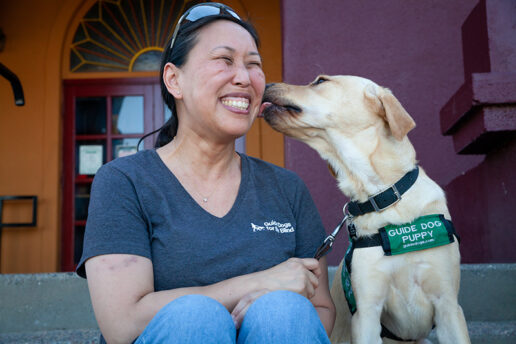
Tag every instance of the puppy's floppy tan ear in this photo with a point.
(391, 110)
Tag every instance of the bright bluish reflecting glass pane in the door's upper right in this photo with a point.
(127, 117)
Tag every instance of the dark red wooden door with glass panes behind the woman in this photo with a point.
(103, 120)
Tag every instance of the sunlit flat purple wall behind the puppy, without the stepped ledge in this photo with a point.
(412, 47)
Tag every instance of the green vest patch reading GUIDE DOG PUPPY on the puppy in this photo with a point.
(424, 232)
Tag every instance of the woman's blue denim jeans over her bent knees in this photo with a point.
(276, 317)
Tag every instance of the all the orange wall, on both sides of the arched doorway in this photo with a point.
(30, 136)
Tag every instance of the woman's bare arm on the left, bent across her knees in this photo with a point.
(124, 301)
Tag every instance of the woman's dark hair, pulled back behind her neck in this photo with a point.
(185, 41)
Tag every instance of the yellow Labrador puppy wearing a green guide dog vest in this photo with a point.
(361, 129)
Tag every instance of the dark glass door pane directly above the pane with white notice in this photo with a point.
(90, 115)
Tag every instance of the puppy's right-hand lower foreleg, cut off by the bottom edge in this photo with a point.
(450, 322)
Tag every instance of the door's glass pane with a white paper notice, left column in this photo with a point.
(89, 156)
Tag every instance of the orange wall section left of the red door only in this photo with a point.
(30, 135)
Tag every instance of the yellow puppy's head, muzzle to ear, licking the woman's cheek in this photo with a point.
(347, 103)
